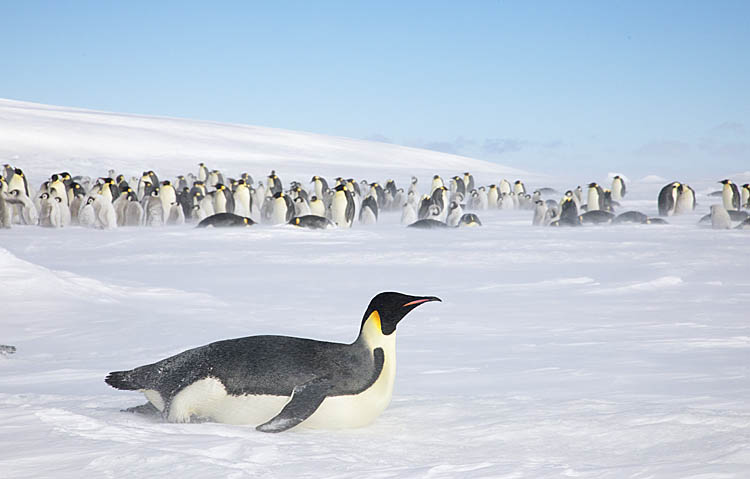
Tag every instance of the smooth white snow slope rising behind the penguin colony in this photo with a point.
(50, 138)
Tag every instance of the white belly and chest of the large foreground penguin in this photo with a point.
(208, 398)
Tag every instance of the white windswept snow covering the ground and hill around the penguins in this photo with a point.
(593, 352)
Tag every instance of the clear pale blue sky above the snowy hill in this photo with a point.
(614, 85)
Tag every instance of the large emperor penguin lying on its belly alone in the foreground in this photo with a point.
(280, 381)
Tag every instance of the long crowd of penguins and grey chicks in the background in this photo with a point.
(208, 198)
